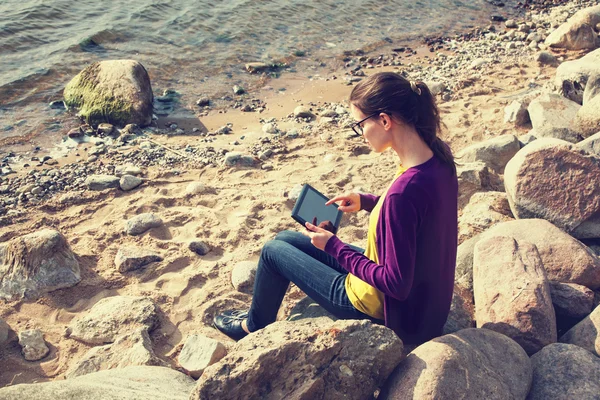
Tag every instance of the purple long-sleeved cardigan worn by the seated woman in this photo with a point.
(416, 247)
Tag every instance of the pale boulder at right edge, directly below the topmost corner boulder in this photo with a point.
(572, 76)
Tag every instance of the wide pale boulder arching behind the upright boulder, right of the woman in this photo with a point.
(565, 259)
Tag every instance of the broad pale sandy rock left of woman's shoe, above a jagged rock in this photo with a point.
(113, 317)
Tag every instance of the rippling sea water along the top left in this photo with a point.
(185, 43)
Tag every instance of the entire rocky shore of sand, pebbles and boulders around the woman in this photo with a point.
(117, 250)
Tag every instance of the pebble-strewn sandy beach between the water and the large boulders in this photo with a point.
(234, 210)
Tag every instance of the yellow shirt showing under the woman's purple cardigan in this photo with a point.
(363, 296)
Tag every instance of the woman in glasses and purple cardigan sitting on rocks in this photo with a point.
(405, 277)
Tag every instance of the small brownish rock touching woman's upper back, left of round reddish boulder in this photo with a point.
(475, 177)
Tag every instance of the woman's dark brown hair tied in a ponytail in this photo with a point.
(411, 102)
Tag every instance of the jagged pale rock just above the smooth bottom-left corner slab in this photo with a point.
(131, 349)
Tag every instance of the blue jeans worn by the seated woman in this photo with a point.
(290, 257)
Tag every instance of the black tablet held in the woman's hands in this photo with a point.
(311, 205)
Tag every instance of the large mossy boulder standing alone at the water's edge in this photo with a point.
(113, 91)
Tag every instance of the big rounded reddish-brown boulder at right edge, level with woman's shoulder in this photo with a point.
(542, 175)
